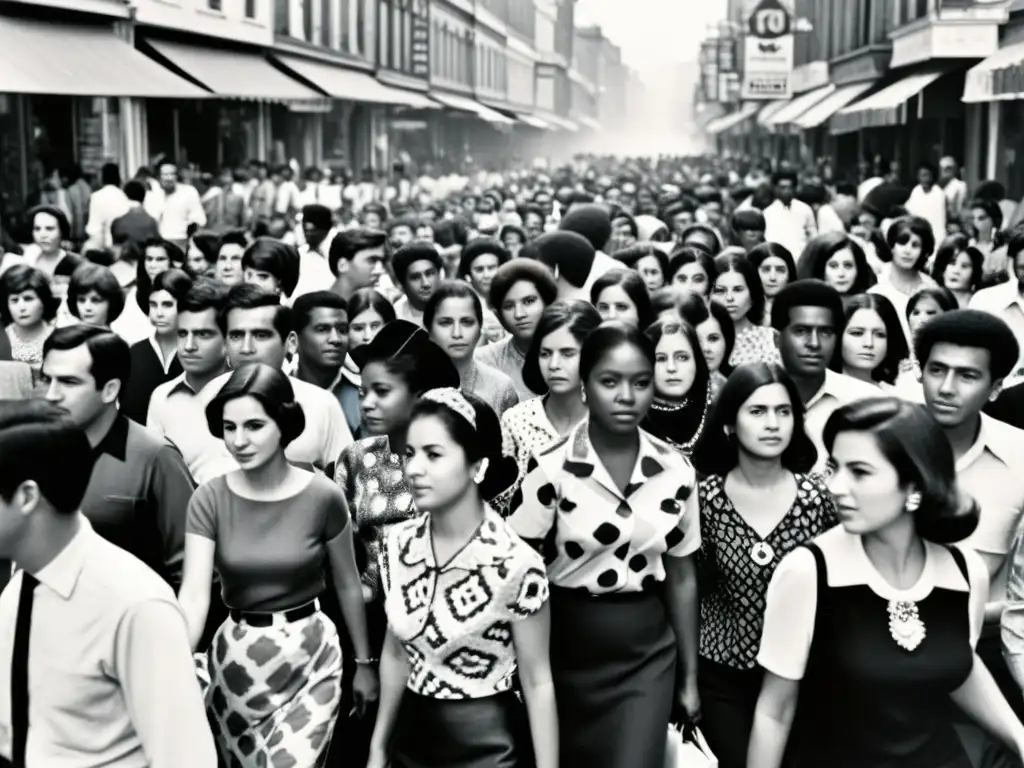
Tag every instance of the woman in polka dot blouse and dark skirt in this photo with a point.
(617, 513)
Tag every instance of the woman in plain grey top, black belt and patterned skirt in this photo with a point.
(277, 654)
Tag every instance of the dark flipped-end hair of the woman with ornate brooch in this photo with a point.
(912, 441)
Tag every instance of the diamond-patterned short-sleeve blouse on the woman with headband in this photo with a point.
(455, 620)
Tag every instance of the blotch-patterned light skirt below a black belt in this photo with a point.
(273, 694)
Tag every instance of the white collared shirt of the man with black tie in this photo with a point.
(112, 680)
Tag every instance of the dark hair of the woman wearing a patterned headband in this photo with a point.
(484, 442)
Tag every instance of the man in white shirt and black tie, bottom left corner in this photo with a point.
(95, 651)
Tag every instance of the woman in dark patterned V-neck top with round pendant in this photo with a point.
(758, 503)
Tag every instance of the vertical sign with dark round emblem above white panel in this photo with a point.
(769, 52)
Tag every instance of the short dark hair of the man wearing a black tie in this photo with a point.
(39, 444)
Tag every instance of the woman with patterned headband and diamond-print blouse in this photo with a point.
(440, 706)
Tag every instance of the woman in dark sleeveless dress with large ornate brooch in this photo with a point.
(874, 624)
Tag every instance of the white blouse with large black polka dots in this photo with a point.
(598, 537)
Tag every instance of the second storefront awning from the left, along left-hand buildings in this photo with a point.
(233, 74)
